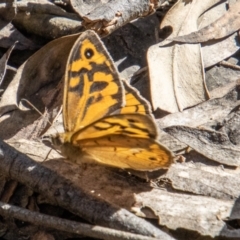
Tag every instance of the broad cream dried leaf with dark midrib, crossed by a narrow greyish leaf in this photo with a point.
(176, 71)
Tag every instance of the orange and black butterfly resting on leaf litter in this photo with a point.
(103, 116)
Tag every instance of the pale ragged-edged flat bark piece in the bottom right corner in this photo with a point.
(198, 213)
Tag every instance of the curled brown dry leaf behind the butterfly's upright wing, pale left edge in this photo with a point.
(40, 70)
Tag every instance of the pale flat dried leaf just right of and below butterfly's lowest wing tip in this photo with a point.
(204, 180)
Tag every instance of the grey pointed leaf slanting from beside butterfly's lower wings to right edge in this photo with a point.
(212, 144)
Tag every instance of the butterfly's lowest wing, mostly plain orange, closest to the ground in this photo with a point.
(128, 152)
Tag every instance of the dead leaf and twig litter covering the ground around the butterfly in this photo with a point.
(183, 58)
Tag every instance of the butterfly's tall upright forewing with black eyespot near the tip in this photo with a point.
(92, 86)
